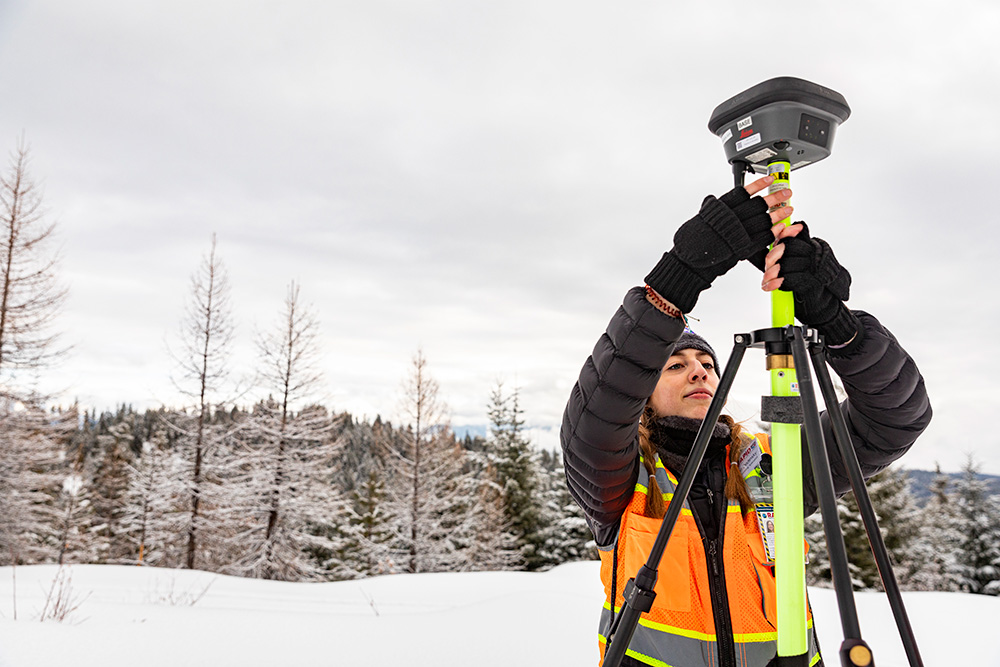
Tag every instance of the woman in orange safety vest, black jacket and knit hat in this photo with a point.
(632, 417)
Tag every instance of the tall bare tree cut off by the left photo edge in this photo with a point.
(30, 300)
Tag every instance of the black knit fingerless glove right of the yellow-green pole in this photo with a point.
(820, 286)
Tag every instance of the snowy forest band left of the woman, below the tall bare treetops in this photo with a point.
(301, 496)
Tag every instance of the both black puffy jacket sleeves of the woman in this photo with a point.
(886, 408)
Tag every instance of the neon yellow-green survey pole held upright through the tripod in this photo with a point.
(786, 451)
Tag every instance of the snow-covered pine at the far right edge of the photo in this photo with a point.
(979, 524)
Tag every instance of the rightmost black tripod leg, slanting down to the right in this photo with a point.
(850, 459)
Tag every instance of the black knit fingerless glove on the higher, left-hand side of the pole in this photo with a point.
(726, 230)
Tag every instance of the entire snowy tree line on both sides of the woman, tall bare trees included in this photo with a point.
(284, 488)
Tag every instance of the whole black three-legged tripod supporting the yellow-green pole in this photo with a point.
(802, 344)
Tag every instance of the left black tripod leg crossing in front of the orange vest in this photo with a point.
(639, 593)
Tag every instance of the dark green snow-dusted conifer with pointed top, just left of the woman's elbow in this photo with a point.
(516, 466)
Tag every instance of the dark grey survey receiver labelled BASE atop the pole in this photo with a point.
(784, 119)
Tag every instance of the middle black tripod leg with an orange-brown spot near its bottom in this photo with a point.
(853, 646)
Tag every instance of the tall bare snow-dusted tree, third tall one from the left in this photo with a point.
(292, 510)
